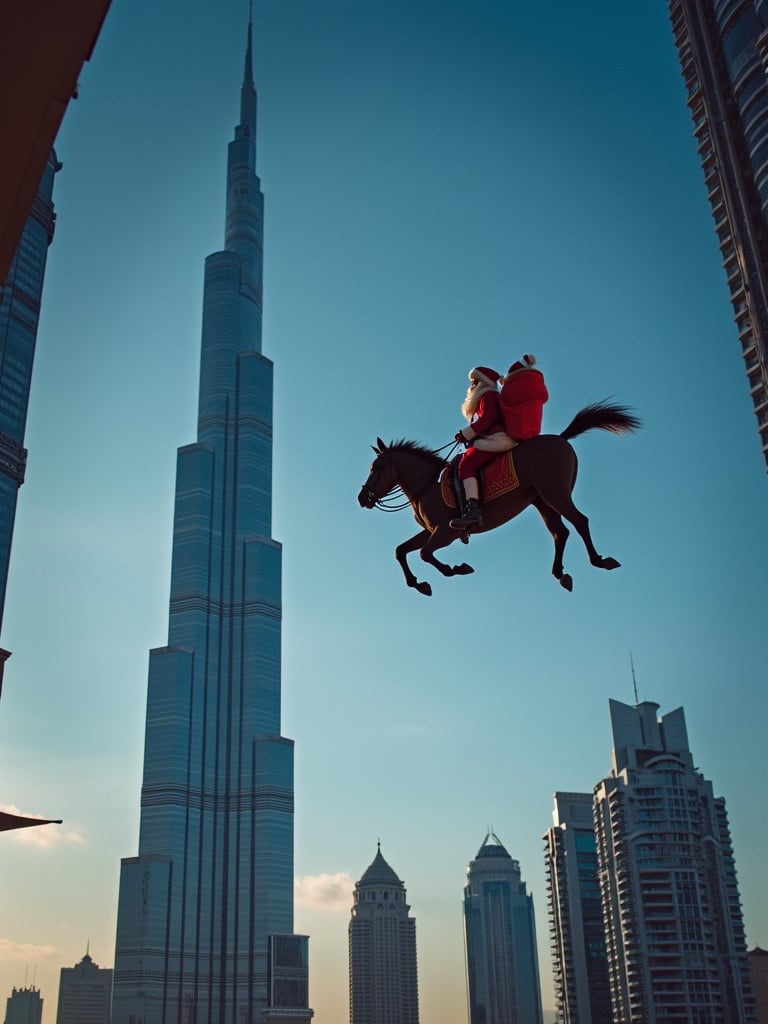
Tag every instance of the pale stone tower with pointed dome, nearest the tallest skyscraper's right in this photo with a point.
(383, 982)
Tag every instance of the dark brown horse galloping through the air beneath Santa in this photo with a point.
(546, 468)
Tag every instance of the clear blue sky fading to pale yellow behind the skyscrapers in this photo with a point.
(447, 185)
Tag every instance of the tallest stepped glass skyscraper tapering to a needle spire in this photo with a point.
(214, 879)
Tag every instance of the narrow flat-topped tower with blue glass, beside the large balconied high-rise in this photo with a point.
(579, 962)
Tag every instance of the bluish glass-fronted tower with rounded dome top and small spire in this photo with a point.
(500, 940)
